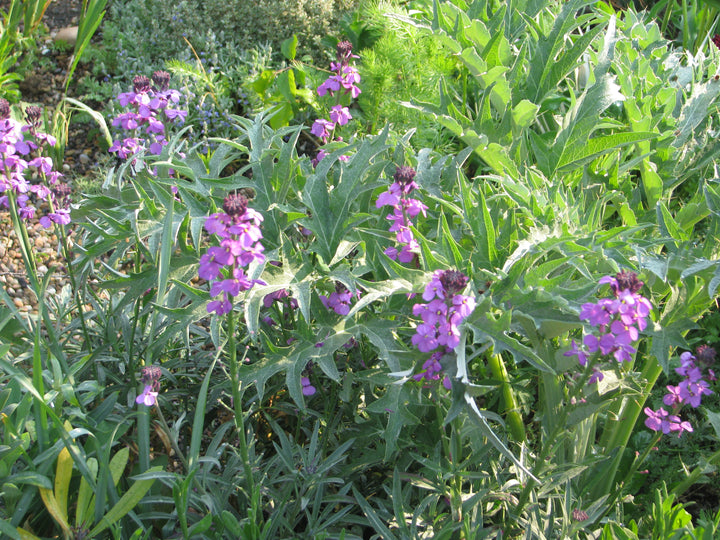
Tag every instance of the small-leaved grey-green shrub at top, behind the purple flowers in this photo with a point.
(234, 37)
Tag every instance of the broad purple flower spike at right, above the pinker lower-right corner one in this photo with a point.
(619, 321)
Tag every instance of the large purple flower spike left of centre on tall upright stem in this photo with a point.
(239, 229)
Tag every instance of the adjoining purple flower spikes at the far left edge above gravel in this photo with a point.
(21, 147)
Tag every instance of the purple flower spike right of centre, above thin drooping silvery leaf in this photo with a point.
(445, 309)
